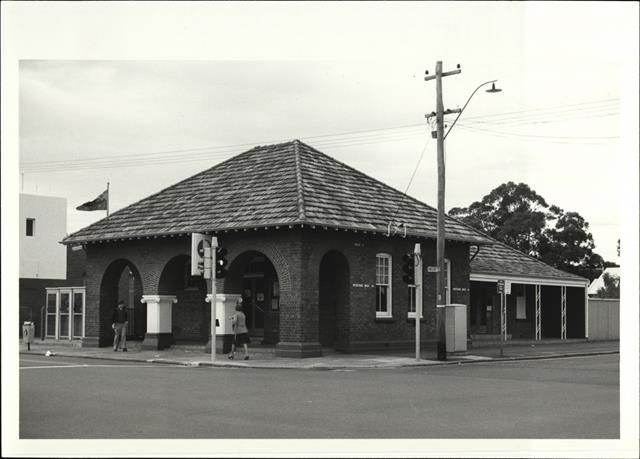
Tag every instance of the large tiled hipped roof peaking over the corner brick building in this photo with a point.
(268, 186)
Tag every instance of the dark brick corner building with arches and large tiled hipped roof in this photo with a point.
(314, 247)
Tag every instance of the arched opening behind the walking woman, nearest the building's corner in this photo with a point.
(252, 275)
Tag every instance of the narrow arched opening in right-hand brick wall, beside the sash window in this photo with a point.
(333, 300)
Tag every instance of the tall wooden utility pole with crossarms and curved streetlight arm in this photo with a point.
(440, 300)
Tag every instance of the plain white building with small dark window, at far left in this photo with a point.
(43, 224)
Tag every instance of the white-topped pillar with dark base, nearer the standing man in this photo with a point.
(159, 334)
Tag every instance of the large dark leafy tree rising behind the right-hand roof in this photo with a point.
(521, 218)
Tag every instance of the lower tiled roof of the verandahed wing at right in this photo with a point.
(497, 258)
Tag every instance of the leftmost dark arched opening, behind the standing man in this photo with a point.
(122, 281)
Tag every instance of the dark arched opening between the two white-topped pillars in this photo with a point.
(190, 316)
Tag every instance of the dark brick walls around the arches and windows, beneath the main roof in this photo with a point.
(296, 255)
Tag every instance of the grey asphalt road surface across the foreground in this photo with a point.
(71, 398)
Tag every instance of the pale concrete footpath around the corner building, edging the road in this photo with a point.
(264, 357)
